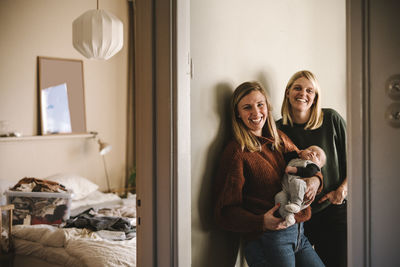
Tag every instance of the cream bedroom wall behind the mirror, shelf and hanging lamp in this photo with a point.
(44, 28)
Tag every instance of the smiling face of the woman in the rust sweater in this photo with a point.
(253, 111)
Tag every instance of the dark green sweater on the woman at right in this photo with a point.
(331, 137)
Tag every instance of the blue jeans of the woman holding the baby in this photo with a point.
(284, 248)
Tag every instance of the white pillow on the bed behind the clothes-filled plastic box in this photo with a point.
(80, 186)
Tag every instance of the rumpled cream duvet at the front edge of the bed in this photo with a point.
(72, 246)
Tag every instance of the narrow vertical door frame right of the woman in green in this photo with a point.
(358, 118)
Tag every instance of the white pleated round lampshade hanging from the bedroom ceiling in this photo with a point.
(97, 34)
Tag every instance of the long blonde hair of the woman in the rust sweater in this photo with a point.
(241, 133)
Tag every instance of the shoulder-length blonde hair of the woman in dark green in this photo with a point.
(316, 115)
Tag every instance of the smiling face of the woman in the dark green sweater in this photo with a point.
(301, 95)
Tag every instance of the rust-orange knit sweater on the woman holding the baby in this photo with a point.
(246, 184)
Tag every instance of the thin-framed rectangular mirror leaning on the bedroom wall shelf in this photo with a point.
(61, 96)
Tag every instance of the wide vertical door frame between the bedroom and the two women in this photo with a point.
(162, 115)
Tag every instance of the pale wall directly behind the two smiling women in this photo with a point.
(234, 41)
